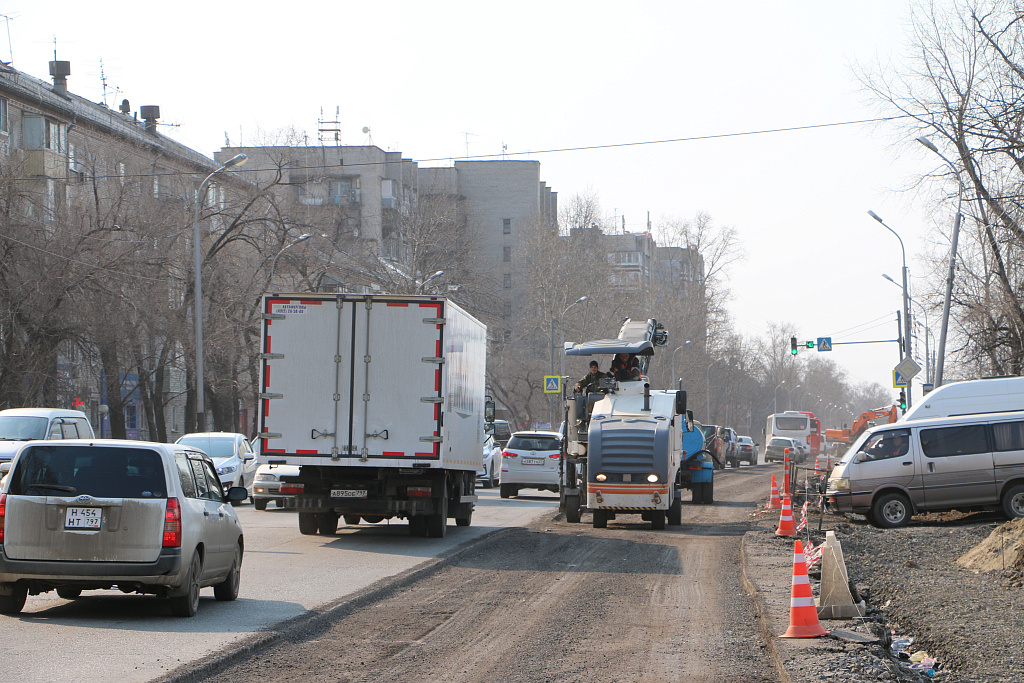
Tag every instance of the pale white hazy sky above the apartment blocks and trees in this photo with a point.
(434, 79)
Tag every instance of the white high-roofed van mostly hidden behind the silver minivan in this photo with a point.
(998, 395)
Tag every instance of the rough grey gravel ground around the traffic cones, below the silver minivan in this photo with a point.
(970, 622)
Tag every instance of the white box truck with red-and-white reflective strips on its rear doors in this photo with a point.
(380, 402)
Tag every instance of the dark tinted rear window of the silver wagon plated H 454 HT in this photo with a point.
(79, 471)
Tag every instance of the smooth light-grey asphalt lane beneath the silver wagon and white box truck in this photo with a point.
(110, 636)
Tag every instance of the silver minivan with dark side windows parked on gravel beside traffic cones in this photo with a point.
(892, 473)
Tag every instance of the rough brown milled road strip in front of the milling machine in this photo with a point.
(556, 603)
